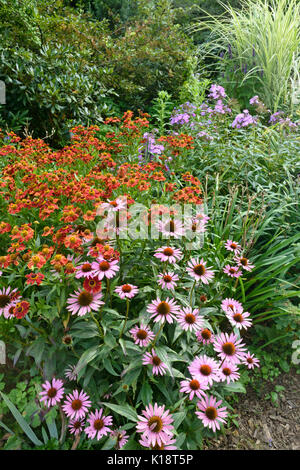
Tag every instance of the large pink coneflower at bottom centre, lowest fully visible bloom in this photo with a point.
(155, 425)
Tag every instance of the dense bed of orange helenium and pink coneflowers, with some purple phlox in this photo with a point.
(139, 338)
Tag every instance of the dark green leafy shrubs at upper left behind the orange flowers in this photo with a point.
(61, 67)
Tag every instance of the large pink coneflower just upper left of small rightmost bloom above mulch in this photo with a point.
(229, 348)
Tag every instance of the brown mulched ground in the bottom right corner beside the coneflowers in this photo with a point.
(262, 424)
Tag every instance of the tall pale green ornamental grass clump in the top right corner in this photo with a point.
(260, 43)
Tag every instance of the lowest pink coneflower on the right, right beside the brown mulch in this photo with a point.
(210, 413)
